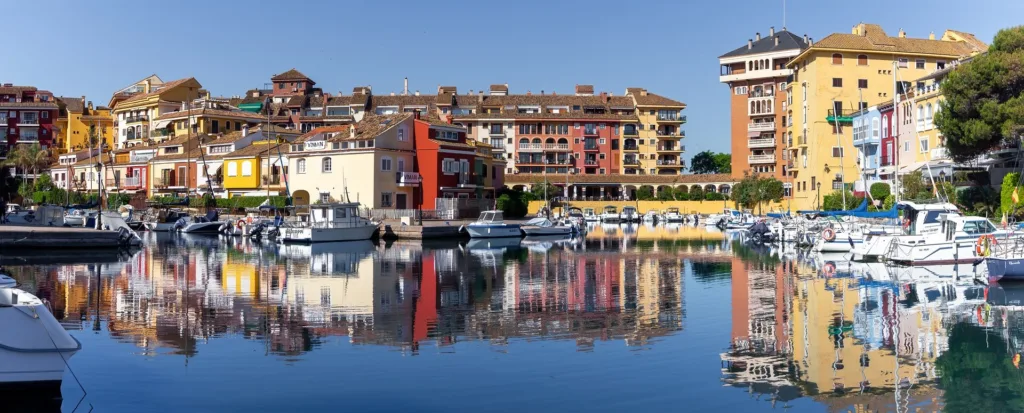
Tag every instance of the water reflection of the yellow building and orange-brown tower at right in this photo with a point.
(850, 344)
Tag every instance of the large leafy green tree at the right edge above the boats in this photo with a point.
(985, 99)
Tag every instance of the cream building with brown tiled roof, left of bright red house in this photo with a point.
(355, 163)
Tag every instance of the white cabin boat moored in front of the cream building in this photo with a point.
(329, 223)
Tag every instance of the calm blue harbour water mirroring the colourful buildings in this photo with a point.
(630, 318)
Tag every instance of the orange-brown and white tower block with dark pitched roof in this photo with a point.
(757, 75)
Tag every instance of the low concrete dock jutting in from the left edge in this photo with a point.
(57, 237)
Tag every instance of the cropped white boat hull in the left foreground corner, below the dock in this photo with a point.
(34, 347)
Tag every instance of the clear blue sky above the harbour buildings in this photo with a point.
(669, 48)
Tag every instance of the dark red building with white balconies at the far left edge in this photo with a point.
(27, 116)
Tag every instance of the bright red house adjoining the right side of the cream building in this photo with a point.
(446, 162)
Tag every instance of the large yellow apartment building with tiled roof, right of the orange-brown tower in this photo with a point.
(840, 75)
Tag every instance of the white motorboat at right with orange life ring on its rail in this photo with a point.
(963, 240)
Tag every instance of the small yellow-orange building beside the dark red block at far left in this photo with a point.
(78, 120)
